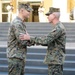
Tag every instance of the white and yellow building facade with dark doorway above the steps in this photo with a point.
(8, 9)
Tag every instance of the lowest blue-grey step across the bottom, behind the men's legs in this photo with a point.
(39, 70)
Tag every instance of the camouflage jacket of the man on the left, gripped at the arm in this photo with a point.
(16, 47)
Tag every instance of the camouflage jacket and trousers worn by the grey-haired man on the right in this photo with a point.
(55, 41)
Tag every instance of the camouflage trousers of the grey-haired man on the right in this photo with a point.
(55, 69)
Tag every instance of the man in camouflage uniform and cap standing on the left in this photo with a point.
(16, 48)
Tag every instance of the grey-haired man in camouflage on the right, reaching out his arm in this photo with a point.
(55, 41)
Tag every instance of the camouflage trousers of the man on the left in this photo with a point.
(16, 66)
